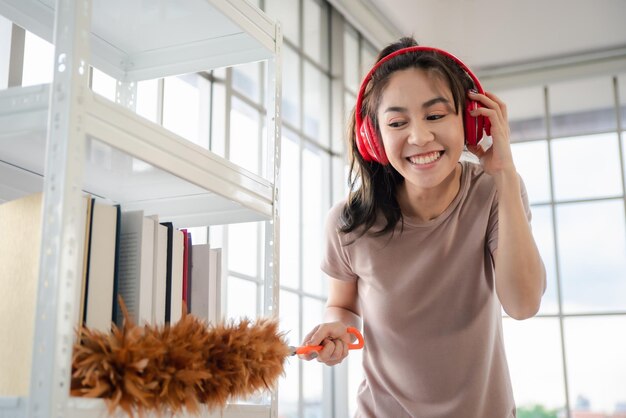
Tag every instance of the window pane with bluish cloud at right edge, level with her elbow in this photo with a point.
(592, 251)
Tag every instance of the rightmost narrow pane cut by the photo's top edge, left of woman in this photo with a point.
(316, 31)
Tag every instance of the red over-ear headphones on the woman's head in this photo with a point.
(370, 146)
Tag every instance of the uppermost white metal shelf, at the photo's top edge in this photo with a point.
(137, 40)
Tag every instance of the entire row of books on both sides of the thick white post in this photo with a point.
(154, 267)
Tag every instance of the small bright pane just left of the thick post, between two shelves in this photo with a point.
(38, 61)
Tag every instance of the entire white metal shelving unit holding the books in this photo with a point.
(62, 138)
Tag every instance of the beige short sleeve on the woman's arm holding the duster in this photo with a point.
(335, 256)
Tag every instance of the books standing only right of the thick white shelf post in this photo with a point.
(150, 264)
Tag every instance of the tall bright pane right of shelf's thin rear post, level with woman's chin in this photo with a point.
(290, 211)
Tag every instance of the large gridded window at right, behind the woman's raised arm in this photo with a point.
(567, 149)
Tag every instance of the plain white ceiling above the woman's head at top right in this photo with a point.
(487, 34)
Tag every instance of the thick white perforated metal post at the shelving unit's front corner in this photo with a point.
(60, 270)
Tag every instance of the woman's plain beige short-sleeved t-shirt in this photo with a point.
(431, 318)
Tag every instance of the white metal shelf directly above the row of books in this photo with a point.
(184, 183)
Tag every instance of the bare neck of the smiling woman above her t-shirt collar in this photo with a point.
(427, 204)
